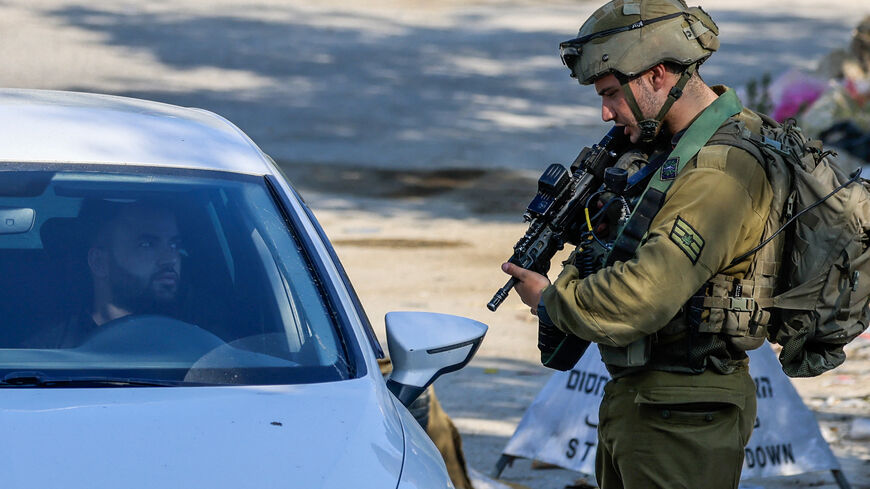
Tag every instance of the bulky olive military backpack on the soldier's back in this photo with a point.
(810, 275)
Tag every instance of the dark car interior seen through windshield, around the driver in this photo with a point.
(244, 280)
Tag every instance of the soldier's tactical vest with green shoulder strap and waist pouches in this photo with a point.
(720, 322)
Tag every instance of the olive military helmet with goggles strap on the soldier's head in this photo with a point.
(627, 37)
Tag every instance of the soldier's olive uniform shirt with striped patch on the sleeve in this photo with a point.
(715, 210)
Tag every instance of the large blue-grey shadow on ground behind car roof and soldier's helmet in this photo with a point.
(355, 89)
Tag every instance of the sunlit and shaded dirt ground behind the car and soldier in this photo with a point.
(468, 94)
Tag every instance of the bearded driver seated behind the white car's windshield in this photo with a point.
(134, 259)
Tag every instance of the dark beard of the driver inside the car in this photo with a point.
(137, 295)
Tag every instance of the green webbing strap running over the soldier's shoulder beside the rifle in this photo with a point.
(695, 137)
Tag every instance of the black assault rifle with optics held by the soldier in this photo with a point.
(556, 214)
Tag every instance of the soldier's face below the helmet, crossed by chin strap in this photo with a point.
(614, 106)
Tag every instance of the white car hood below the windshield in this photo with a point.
(330, 435)
